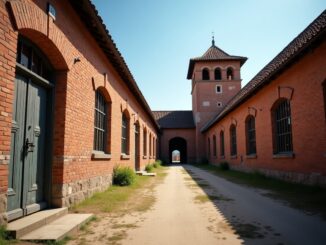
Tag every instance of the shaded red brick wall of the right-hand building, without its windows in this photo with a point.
(304, 85)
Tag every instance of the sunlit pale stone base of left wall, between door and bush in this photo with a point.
(68, 194)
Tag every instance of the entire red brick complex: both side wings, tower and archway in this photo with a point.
(70, 109)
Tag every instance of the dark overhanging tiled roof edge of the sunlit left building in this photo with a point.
(94, 23)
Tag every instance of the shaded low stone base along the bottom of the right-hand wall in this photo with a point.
(301, 178)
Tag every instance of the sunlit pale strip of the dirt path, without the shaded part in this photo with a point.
(182, 216)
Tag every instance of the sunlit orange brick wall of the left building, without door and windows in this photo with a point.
(76, 172)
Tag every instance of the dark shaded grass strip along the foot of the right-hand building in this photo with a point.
(311, 199)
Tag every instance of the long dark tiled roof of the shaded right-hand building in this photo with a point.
(314, 33)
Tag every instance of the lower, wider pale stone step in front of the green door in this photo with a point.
(58, 229)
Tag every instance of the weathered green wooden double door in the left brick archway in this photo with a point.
(27, 159)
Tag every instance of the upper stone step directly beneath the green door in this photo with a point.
(21, 227)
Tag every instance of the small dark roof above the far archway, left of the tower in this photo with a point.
(174, 119)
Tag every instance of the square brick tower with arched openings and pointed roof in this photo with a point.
(215, 80)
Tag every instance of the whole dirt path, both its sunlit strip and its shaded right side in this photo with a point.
(193, 206)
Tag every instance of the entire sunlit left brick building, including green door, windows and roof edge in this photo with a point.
(70, 110)
